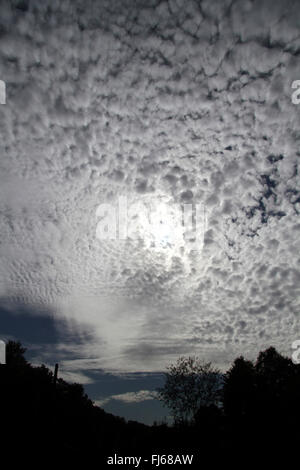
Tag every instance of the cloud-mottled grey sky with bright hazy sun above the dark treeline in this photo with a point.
(171, 106)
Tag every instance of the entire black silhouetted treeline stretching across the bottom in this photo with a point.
(256, 412)
